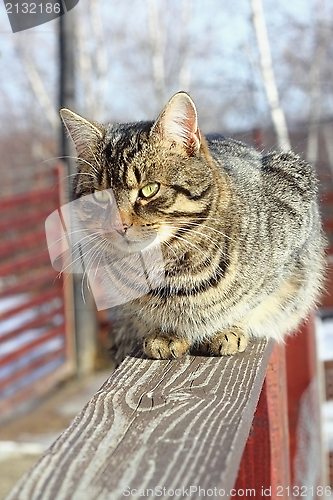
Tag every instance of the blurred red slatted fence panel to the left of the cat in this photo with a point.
(35, 342)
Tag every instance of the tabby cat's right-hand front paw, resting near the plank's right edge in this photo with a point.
(227, 342)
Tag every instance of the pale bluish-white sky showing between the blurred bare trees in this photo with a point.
(223, 58)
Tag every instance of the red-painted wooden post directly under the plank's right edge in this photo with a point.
(265, 463)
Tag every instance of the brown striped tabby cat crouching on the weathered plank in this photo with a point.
(240, 231)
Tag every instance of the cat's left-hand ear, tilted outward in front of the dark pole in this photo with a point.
(84, 133)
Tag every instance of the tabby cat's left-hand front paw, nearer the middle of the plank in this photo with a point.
(164, 347)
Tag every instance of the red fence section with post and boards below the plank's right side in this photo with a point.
(283, 457)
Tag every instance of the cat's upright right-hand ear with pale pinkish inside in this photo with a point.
(177, 125)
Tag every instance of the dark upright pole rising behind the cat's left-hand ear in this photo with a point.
(85, 319)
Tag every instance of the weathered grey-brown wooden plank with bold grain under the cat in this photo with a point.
(168, 424)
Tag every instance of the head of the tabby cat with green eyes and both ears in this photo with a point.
(147, 178)
